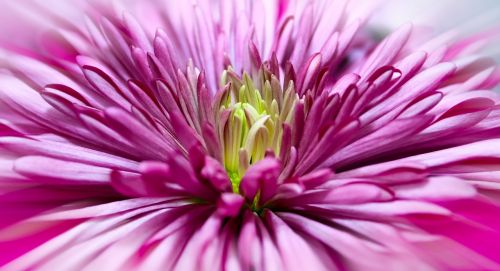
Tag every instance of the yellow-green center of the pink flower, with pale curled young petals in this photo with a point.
(251, 120)
